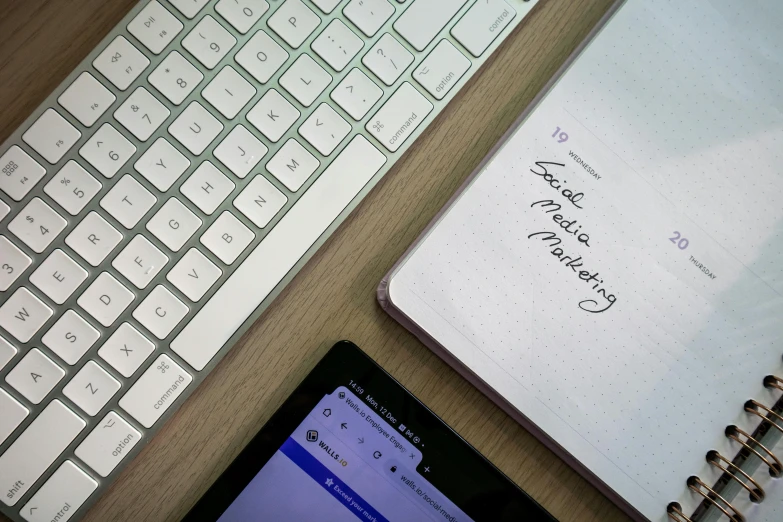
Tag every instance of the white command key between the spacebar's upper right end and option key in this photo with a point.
(399, 117)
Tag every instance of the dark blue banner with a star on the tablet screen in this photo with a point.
(321, 474)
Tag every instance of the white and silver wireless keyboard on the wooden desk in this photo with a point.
(177, 180)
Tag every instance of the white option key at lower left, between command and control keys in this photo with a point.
(107, 444)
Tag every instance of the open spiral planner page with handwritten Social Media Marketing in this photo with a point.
(612, 273)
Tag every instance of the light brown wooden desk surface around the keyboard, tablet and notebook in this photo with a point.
(333, 298)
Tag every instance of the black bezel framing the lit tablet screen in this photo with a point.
(462, 474)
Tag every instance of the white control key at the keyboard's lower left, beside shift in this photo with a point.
(60, 496)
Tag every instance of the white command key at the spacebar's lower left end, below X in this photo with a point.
(155, 391)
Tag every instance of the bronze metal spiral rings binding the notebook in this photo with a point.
(769, 418)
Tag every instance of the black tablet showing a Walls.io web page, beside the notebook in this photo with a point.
(351, 444)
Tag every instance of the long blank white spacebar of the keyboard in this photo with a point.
(280, 250)
